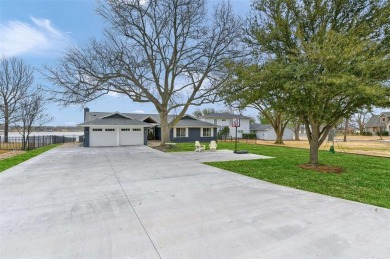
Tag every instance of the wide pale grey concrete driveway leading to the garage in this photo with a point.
(136, 202)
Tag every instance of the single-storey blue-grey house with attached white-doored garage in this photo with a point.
(123, 129)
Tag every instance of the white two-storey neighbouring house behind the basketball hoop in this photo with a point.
(226, 119)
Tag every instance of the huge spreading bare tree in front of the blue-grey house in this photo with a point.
(170, 53)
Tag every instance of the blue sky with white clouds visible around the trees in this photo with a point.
(39, 30)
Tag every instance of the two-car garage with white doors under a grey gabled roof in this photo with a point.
(114, 130)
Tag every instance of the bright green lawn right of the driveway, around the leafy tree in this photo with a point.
(366, 179)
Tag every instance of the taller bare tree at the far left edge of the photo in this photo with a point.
(15, 79)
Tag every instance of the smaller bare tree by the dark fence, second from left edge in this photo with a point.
(31, 114)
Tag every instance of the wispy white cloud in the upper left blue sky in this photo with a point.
(36, 38)
